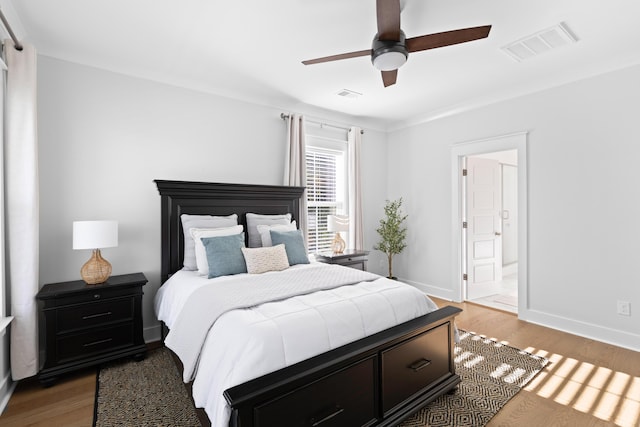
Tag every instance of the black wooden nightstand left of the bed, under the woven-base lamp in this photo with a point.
(83, 325)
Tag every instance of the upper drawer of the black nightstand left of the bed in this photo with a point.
(99, 313)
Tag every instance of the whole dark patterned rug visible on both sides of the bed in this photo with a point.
(151, 392)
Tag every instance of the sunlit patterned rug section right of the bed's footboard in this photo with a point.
(491, 373)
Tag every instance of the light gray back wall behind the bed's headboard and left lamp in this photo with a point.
(105, 137)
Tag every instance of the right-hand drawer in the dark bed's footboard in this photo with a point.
(412, 364)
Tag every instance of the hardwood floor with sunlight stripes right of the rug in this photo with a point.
(587, 383)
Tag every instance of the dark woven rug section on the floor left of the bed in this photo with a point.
(143, 394)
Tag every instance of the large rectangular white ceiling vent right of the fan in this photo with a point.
(540, 42)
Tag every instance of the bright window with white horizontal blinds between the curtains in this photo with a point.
(326, 188)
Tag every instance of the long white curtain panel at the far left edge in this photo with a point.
(21, 206)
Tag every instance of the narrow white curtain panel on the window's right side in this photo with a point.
(356, 229)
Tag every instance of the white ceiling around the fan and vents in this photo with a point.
(252, 49)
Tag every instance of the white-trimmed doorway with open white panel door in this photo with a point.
(490, 254)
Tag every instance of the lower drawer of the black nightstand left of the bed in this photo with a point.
(95, 341)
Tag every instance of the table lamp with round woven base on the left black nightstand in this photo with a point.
(95, 235)
